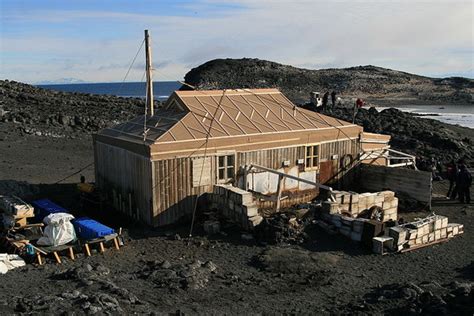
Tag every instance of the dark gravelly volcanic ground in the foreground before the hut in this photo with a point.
(167, 272)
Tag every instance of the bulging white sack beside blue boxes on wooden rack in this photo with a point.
(59, 230)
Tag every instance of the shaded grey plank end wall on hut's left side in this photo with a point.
(125, 178)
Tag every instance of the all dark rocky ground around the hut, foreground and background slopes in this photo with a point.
(165, 271)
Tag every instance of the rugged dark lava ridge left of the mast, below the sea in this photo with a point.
(52, 113)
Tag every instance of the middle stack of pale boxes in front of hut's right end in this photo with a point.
(350, 203)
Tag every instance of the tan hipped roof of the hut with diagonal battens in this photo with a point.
(193, 115)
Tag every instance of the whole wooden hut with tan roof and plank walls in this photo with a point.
(154, 167)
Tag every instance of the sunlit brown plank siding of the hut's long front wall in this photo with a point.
(175, 190)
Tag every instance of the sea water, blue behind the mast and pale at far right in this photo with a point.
(452, 114)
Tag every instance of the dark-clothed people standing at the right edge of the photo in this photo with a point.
(460, 181)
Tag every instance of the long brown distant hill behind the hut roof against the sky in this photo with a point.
(374, 84)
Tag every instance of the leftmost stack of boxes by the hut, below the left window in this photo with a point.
(237, 205)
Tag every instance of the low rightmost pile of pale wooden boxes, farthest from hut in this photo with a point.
(431, 229)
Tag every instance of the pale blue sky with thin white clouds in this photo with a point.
(96, 40)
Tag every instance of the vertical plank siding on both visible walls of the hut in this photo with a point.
(169, 185)
